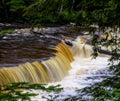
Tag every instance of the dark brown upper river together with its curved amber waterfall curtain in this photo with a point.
(34, 59)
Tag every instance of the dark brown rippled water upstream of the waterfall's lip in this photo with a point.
(18, 49)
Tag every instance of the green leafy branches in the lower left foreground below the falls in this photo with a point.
(17, 91)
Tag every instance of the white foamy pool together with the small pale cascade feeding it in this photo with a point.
(84, 71)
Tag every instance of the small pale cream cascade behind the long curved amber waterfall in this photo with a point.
(81, 49)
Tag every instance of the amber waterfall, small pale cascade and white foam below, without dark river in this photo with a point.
(72, 67)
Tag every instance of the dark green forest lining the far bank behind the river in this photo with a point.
(82, 12)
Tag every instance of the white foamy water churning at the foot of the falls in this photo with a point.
(84, 72)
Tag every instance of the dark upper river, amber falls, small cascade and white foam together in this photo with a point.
(70, 66)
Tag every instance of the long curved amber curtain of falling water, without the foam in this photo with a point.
(53, 69)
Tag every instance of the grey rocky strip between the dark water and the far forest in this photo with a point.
(53, 32)
